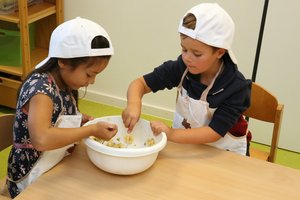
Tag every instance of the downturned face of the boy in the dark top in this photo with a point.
(199, 57)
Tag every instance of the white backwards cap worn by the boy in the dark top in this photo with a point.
(214, 27)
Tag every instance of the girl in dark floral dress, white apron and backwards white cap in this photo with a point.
(47, 121)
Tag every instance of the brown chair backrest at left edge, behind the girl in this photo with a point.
(6, 130)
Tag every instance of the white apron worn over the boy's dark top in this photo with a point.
(191, 113)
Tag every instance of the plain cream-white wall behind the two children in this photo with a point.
(144, 34)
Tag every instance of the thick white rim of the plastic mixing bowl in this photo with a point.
(125, 152)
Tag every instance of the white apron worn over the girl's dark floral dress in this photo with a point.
(49, 159)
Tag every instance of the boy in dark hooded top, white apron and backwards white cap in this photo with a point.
(212, 93)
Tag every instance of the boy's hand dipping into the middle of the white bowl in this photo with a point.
(131, 116)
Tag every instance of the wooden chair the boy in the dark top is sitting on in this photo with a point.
(265, 107)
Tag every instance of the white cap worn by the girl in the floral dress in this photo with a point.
(73, 39)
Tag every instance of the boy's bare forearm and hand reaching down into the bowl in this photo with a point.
(135, 93)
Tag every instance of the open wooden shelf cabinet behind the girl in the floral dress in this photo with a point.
(46, 16)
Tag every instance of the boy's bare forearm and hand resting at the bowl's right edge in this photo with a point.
(199, 135)
